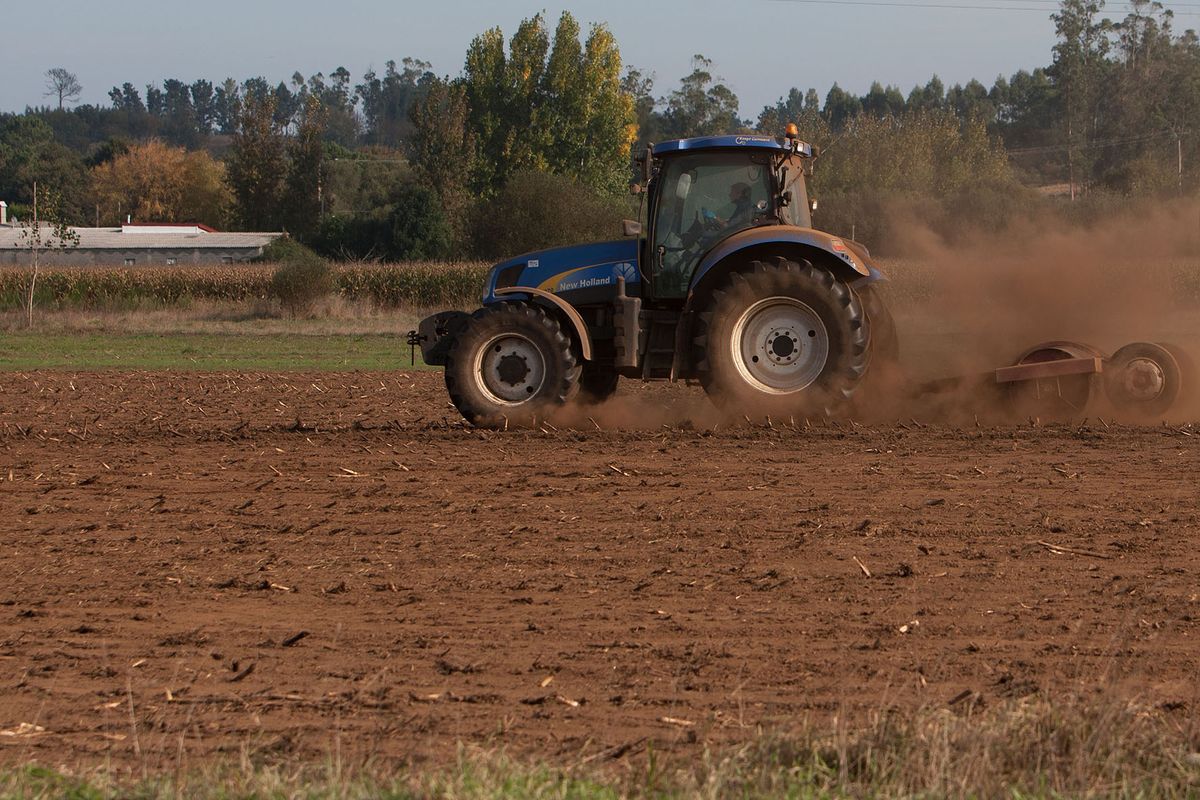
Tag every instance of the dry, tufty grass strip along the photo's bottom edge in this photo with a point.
(1103, 748)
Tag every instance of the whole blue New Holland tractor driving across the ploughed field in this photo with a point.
(723, 281)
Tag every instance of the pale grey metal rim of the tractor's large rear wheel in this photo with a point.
(781, 346)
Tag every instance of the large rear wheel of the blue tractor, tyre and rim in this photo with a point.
(783, 340)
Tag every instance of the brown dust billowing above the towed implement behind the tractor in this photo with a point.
(982, 303)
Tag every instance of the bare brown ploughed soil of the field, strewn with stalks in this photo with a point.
(308, 567)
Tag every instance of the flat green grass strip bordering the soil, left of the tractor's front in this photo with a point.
(203, 352)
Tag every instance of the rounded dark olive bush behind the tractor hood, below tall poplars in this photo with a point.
(539, 210)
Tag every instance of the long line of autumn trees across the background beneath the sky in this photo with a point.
(531, 143)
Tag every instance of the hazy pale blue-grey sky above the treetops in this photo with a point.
(760, 47)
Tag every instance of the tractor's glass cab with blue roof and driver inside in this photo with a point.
(706, 190)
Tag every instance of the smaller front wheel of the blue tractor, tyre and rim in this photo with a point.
(511, 365)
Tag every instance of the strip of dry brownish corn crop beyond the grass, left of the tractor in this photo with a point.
(415, 284)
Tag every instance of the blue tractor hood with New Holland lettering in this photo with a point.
(569, 270)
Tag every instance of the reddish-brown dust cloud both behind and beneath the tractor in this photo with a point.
(965, 309)
